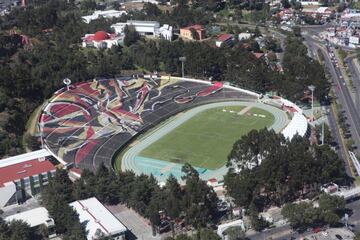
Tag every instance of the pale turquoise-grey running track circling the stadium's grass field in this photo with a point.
(132, 161)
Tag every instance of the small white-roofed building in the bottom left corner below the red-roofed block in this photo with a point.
(35, 218)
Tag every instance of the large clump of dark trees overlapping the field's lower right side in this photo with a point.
(288, 169)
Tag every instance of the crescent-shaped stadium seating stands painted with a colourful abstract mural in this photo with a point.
(87, 123)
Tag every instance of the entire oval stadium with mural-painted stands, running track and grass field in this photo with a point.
(153, 125)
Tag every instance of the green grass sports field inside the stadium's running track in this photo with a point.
(206, 139)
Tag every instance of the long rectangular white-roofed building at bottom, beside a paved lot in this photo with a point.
(98, 217)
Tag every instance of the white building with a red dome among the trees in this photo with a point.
(102, 39)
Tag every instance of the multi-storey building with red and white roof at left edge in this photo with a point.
(23, 175)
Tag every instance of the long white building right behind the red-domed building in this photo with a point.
(147, 28)
